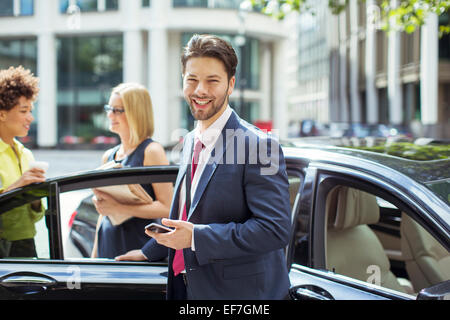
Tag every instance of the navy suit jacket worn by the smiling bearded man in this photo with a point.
(241, 217)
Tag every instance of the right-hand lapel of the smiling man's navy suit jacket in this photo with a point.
(219, 150)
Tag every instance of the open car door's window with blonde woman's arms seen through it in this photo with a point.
(84, 225)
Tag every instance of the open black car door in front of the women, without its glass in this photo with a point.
(101, 277)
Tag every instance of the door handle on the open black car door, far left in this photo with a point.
(25, 282)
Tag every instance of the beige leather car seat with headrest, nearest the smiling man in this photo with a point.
(353, 249)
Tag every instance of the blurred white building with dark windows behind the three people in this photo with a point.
(80, 49)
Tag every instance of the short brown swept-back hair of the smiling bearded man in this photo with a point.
(211, 46)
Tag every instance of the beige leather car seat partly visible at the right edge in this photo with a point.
(427, 261)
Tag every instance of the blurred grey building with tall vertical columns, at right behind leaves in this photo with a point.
(344, 69)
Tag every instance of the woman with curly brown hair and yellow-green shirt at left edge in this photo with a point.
(18, 90)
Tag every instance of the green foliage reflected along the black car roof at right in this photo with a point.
(411, 151)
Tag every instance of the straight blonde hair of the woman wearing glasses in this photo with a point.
(138, 110)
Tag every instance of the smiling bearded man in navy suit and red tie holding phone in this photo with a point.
(230, 211)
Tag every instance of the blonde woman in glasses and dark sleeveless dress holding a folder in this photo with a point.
(130, 113)
